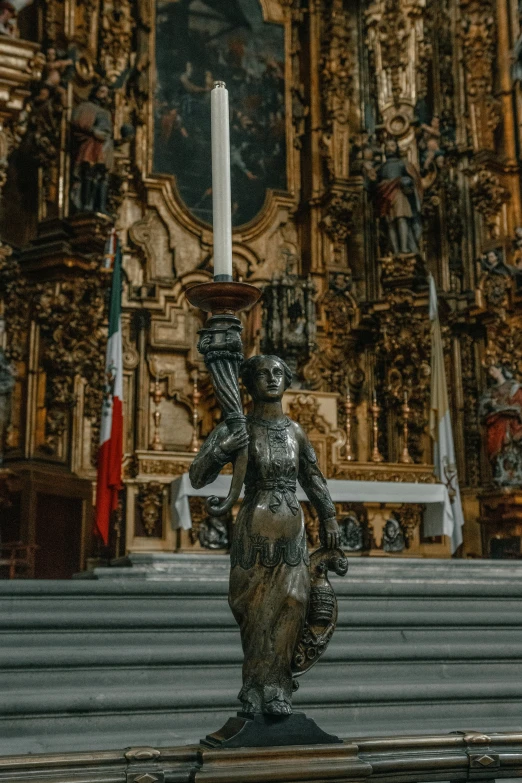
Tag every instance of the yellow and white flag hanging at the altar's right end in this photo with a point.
(440, 429)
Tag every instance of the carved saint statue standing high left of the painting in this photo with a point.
(92, 129)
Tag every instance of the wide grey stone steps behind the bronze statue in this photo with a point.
(150, 655)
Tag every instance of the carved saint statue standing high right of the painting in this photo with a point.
(398, 201)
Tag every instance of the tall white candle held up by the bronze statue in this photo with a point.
(221, 199)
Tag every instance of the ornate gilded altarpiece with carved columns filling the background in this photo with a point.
(372, 143)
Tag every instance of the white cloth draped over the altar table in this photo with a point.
(438, 517)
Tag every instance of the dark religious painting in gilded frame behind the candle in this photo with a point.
(199, 42)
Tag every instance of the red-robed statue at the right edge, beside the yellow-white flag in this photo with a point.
(501, 411)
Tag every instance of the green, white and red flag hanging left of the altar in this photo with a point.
(110, 454)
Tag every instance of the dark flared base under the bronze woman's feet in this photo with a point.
(265, 731)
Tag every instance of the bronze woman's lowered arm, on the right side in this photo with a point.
(314, 484)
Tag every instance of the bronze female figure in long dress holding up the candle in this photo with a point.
(270, 578)
